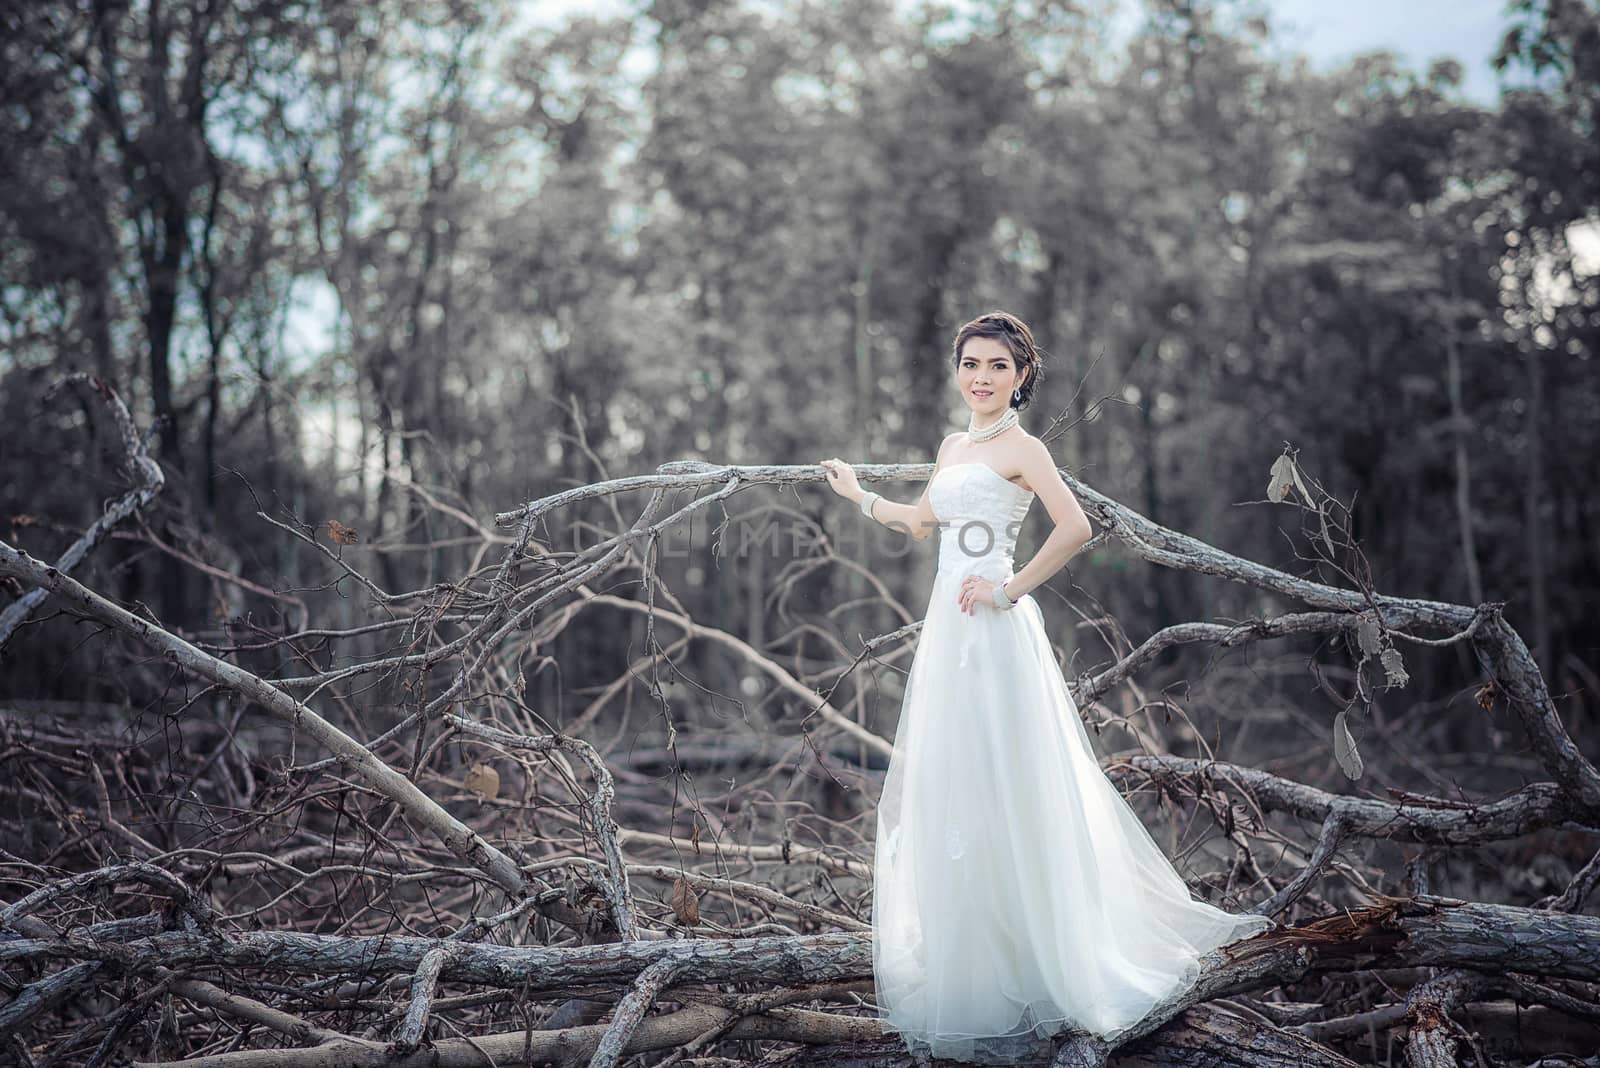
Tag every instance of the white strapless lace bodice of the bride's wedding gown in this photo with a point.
(980, 516)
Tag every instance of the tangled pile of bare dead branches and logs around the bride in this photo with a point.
(257, 869)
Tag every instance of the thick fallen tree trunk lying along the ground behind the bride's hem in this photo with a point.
(1398, 933)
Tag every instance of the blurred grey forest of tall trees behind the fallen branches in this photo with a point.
(359, 257)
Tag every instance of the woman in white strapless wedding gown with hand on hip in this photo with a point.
(1017, 895)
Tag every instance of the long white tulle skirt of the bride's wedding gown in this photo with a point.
(1017, 895)
